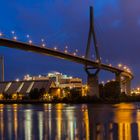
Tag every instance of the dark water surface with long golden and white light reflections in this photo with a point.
(70, 122)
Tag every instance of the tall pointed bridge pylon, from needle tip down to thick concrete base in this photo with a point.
(92, 78)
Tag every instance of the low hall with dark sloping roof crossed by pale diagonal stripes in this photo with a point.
(23, 88)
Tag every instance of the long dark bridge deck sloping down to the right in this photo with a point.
(59, 54)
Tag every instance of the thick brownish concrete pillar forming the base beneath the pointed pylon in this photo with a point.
(93, 85)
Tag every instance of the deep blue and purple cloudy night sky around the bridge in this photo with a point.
(66, 22)
